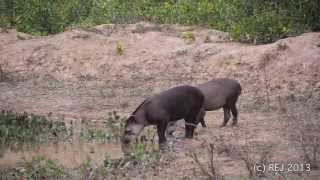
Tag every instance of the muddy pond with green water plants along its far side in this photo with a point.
(69, 142)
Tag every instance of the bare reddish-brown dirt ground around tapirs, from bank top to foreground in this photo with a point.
(86, 73)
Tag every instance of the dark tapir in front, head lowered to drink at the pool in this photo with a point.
(182, 102)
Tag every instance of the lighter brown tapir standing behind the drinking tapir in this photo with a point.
(219, 93)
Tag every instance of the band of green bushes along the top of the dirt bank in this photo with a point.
(246, 20)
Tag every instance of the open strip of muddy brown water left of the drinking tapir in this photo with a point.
(68, 154)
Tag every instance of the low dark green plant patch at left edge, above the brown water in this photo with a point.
(24, 127)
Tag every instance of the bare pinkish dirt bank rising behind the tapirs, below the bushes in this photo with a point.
(85, 62)
